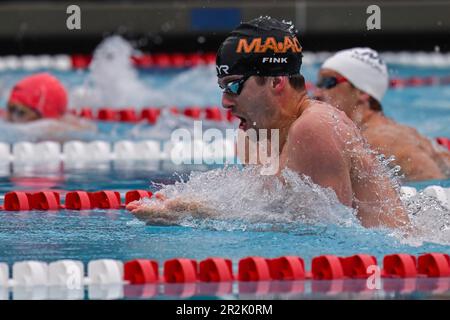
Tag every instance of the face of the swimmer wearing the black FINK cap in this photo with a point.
(252, 105)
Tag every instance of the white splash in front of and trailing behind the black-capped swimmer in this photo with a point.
(233, 199)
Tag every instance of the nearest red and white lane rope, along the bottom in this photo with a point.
(250, 269)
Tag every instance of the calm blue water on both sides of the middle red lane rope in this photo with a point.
(88, 235)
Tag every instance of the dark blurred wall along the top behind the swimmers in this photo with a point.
(32, 27)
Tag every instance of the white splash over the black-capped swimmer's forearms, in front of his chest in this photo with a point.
(244, 199)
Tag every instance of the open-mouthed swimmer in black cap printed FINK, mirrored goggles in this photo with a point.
(258, 69)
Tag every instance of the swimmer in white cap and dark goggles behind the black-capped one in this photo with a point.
(355, 81)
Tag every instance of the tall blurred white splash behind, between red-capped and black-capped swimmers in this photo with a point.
(113, 81)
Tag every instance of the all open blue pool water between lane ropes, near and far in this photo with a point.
(116, 234)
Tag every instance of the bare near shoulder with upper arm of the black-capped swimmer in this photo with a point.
(315, 149)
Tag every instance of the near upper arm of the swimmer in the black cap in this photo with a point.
(312, 150)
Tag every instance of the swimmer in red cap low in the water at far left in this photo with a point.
(39, 103)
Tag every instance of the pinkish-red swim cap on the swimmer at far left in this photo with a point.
(42, 92)
